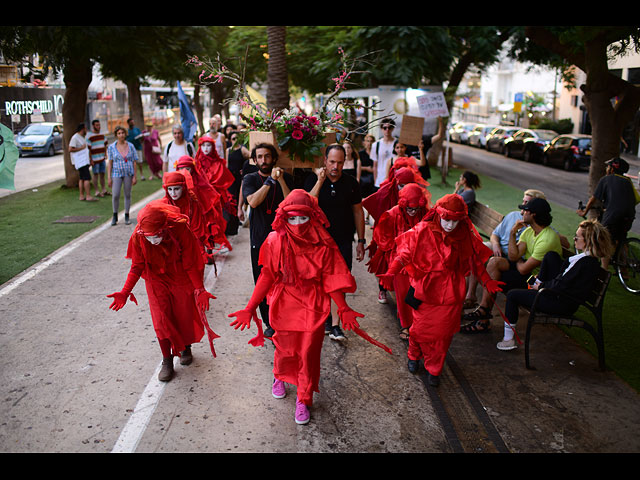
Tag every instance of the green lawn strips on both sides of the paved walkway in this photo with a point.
(29, 235)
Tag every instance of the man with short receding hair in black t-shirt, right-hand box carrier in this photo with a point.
(340, 199)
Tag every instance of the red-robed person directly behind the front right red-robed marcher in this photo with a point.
(413, 204)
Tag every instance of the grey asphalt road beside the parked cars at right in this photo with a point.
(561, 187)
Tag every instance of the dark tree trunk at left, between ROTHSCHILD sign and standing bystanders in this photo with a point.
(77, 77)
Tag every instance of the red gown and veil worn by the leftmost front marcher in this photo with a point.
(173, 271)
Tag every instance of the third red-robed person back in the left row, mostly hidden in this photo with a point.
(210, 200)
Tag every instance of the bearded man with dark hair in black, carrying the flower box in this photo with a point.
(263, 191)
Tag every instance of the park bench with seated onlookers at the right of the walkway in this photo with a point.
(486, 220)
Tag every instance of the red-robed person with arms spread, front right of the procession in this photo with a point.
(437, 254)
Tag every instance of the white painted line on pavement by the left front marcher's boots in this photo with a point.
(150, 398)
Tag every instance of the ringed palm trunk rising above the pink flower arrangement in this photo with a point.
(277, 77)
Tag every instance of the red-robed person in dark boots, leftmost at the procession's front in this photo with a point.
(164, 251)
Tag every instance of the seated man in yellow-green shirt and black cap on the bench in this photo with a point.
(524, 257)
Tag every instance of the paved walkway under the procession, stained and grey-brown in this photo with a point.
(77, 377)
